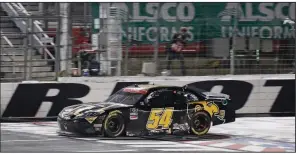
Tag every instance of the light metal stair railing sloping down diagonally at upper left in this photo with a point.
(17, 10)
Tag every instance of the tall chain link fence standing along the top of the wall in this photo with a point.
(215, 46)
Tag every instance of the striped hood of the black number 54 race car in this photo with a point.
(97, 107)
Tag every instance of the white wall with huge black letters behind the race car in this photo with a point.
(249, 93)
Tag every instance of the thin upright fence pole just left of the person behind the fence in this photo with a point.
(156, 48)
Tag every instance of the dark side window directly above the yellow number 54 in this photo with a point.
(159, 99)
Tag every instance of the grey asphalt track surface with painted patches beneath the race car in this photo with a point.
(274, 134)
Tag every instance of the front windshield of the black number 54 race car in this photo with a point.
(123, 97)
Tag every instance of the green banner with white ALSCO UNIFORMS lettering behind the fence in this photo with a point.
(206, 20)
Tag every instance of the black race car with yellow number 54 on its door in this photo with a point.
(140, 110)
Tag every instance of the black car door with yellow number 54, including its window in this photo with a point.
(155, 112)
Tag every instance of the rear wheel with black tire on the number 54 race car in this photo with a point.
(200, 123)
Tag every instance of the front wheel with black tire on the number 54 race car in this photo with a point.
(114, 125)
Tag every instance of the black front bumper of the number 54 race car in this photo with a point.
(76, 127)
